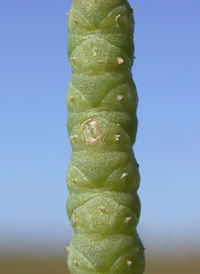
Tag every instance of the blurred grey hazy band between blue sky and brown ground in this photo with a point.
(40, 243)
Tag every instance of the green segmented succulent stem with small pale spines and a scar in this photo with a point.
(103, 176)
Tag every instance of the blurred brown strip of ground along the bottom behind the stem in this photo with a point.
(185, 264)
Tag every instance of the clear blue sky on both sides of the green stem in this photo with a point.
(34, 144)
